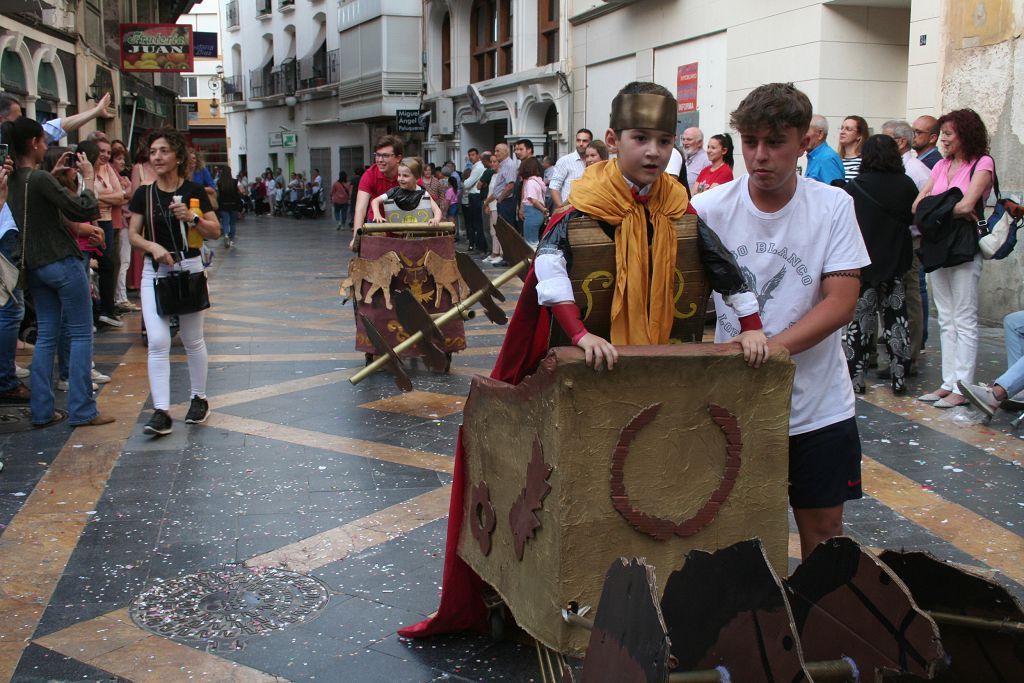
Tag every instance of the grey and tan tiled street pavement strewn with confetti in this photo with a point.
(297, 468)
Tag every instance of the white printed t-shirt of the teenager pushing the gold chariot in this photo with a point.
(783, 257)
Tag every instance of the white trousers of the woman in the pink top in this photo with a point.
(955, 292)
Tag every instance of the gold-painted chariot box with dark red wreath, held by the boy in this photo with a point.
(679, 448)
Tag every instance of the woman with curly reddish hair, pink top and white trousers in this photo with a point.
(955, 289)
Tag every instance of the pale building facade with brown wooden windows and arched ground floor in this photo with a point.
(497, 71)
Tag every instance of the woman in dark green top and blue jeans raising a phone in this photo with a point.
(56, 273)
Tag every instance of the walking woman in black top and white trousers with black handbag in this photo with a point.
(174, 278)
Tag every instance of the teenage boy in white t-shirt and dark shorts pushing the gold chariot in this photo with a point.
(799, 247)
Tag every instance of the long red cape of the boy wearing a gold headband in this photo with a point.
(526, 345)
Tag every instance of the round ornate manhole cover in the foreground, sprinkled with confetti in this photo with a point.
(222, 608)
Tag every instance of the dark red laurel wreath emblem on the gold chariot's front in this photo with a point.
(658, 528)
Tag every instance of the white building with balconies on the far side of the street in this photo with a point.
(310, 86)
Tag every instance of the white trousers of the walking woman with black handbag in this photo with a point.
(158, 330)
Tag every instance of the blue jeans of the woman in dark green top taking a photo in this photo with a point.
(59, 287)
